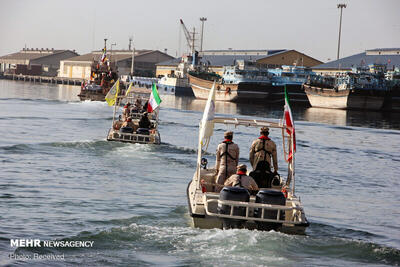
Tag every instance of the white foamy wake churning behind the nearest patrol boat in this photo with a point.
(170, 235)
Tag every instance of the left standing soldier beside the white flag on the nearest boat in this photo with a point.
(227, 159)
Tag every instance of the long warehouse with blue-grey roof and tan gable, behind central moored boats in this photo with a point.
(216, 59)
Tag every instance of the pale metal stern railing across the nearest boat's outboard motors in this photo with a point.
(295, 219)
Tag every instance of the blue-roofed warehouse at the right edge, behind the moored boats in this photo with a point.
(387, 56)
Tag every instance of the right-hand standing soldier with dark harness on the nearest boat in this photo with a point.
(262, 150)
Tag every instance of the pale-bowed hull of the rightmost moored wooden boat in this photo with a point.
(366, 99)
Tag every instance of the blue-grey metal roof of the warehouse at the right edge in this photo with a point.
(361, 59)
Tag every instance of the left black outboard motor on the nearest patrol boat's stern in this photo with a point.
(235, 194)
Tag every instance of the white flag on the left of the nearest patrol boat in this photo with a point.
(207, 123)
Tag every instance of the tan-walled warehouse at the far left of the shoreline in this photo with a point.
(35, 61)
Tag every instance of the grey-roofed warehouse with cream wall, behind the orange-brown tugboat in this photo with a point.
(144, 63)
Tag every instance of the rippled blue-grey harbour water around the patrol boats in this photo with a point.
(60, 180)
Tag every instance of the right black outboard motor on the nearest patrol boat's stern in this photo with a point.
(272, 197)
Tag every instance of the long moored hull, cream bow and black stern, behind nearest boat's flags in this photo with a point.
(247, 92)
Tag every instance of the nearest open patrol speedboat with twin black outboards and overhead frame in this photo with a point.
(276, 208)
